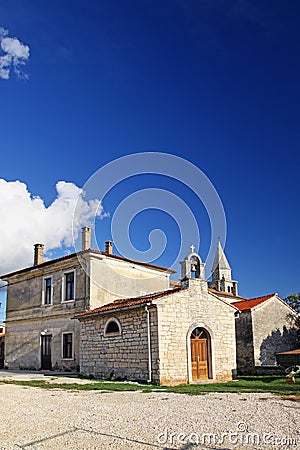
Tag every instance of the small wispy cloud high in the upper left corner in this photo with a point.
(15, 55)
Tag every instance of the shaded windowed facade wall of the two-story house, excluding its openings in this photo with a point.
(27, 318)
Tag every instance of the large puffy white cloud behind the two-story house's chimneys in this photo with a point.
(25, 220)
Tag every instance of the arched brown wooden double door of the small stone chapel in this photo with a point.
(200, 354)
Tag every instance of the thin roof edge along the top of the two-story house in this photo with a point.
(73, 255)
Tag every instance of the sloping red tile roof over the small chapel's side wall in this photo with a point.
(128, 302)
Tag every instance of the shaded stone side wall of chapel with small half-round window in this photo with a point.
(119, 356)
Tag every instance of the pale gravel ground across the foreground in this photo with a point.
(33, 418)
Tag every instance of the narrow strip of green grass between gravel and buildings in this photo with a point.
(262, 384)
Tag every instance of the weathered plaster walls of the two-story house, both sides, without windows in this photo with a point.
(27, 316)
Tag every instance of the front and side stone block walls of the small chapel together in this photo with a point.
(173, 317)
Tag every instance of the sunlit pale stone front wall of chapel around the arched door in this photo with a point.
(178, 315)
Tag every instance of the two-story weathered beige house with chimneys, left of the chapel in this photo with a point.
(42, 300)
